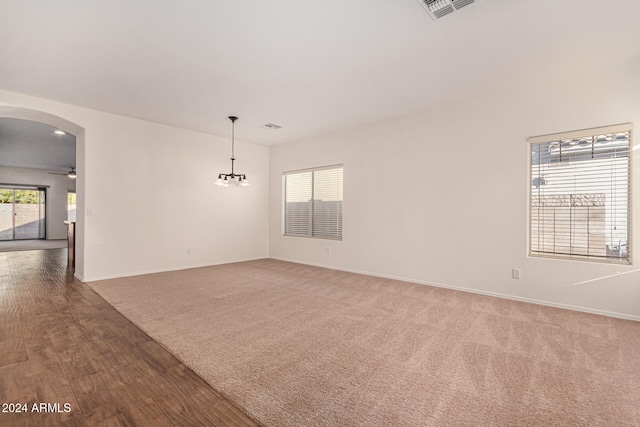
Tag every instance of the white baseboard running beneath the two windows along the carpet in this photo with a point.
(475, 291)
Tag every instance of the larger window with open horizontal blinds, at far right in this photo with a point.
(580, 194)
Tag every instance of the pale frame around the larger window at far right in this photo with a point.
(583, 133)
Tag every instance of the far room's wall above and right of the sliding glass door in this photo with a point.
(58, 187)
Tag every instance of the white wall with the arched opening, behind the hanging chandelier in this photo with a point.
(146, 167)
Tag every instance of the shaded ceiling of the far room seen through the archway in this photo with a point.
(34, 145)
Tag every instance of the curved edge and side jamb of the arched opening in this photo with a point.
(79, 132)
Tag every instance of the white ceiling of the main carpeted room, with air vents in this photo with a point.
(312, 67)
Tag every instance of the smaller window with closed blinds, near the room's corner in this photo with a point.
(313, 203)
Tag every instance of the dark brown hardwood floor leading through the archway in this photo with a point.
(61, 343)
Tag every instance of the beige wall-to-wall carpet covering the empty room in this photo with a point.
(295, 345)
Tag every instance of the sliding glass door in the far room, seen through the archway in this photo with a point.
(22, 213)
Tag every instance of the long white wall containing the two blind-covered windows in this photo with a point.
(421, 203)
